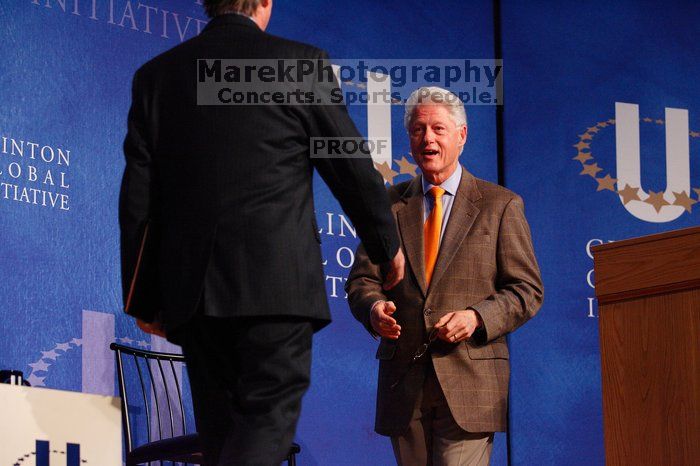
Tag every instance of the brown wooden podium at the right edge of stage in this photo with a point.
(648, 292)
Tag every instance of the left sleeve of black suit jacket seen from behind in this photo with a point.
(135, 194)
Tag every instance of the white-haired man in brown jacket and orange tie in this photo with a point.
(471, 278)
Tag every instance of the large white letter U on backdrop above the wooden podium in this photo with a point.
(628, 161)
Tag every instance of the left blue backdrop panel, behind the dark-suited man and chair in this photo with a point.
(65, 90)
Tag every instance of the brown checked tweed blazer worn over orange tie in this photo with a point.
(486, 261)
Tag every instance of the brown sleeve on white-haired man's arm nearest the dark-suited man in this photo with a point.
(364, 288)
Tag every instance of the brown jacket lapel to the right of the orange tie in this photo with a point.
(462, 217)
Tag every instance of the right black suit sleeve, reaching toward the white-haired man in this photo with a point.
(353, 180)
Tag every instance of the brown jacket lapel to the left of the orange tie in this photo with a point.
(410, 218)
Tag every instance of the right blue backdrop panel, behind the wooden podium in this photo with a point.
(601, 139)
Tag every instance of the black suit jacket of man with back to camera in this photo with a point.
(228, 189)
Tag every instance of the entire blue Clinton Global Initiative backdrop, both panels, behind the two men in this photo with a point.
(571, 73)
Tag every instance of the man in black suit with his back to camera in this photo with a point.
(226, 192)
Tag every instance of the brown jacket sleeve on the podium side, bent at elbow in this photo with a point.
(519, 290)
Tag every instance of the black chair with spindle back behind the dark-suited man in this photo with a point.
(163, 388)
